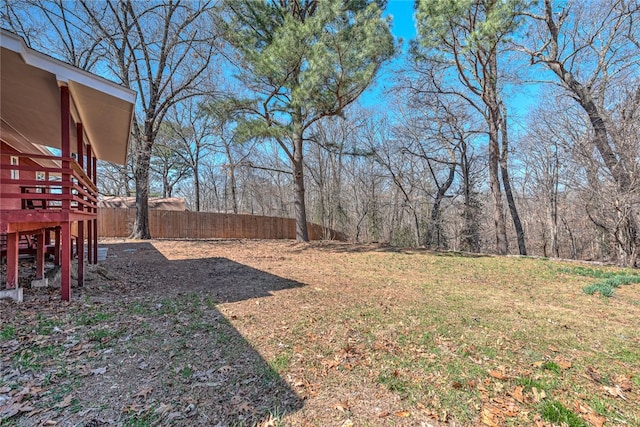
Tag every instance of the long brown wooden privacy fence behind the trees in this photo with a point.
(114, 222)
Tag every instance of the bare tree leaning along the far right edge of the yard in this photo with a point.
(589, 48)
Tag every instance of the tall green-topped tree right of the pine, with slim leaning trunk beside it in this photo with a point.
(457, 53)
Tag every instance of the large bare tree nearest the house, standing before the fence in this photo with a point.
(162, 50)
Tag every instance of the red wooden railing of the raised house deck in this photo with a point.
(64, 184)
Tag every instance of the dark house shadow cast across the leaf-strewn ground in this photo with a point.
(149, 346)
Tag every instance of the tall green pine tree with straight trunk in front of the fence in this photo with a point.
(302, 61)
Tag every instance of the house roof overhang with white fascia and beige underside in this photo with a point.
(30, 102)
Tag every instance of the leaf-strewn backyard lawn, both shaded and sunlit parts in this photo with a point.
(324, 334)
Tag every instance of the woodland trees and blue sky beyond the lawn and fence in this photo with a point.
(503, 127)
